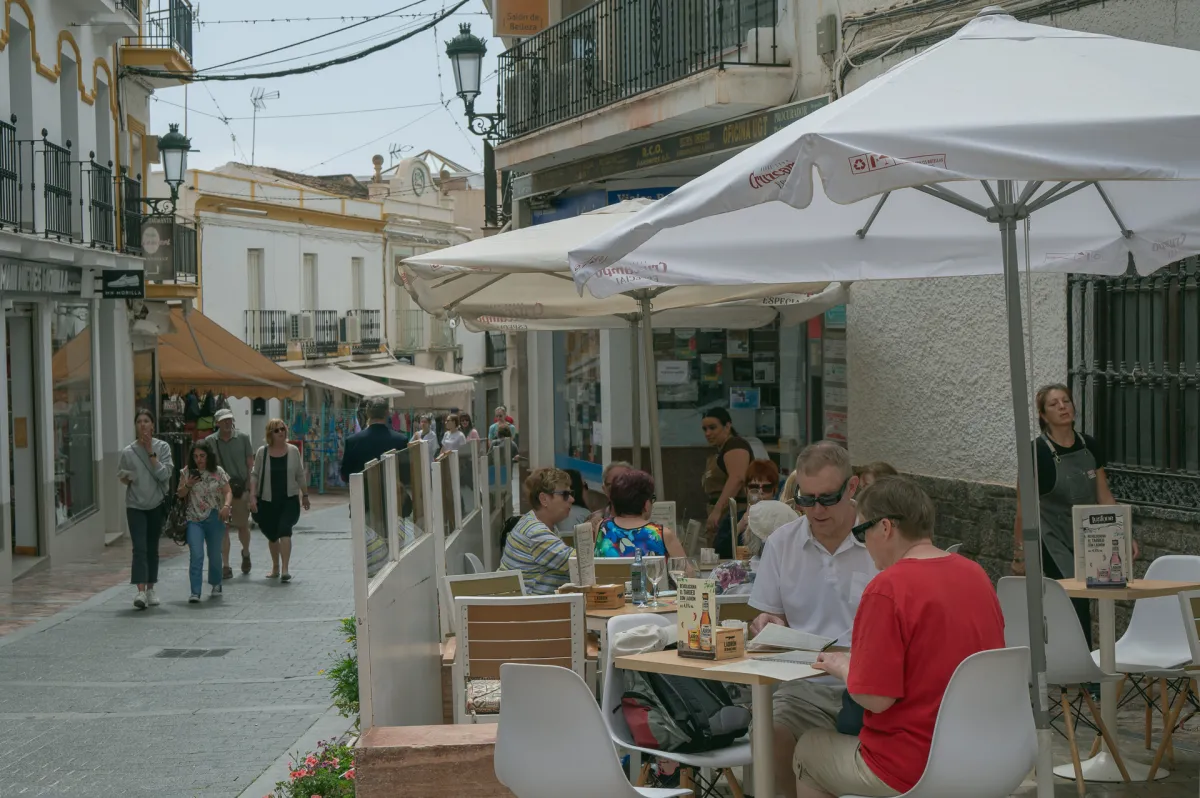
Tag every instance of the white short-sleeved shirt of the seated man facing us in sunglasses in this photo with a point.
(818, 592)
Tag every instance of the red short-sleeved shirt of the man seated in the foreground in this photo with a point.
(917, 622)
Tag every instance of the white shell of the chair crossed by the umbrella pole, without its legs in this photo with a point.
(1069, 657)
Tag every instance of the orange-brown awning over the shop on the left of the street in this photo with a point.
(215, 361)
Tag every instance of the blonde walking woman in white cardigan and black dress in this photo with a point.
(278, 489)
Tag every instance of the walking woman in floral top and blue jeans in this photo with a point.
(206, 488)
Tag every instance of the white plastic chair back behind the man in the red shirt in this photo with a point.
(985, 741)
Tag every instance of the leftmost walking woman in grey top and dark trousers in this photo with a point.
(145, 469)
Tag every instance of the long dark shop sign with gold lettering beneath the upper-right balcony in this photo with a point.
(724, 137)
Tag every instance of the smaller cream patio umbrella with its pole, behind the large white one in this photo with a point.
(521, 280)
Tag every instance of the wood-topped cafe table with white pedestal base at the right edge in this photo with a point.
(1103, 767)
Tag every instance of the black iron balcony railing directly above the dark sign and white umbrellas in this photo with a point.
(616, 50)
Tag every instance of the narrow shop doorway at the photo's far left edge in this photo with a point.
(22, 431)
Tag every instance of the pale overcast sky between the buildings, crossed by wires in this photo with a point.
(403, 76)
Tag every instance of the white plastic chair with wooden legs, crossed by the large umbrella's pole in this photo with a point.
(1069, 661)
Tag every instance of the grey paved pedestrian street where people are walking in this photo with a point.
(91, 707)
